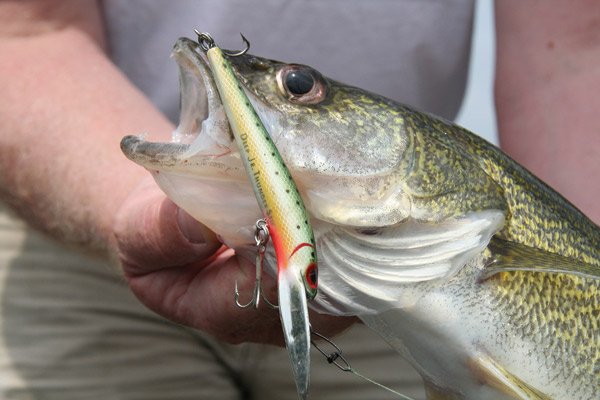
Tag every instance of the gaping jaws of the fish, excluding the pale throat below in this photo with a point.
(202, 143)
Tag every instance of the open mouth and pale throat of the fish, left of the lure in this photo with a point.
(200, 169)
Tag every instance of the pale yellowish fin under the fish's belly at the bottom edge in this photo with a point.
(494, 375)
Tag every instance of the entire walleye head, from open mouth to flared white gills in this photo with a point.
(356, 158)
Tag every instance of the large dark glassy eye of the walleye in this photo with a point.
(301, 84)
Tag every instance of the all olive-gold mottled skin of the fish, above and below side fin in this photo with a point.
(451, 172)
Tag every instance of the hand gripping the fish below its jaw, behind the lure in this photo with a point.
(178, 268)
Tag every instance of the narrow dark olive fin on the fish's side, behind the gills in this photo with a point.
(510, 256)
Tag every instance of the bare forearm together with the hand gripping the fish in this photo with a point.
(64, 108)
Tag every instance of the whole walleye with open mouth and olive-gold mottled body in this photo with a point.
(479, 274)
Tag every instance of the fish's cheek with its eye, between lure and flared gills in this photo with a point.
(336, 140)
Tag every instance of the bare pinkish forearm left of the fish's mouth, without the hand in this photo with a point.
(64, 108)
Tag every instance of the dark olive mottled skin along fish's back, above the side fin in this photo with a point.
(451, 170)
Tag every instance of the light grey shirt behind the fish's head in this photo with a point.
(414, 51)
